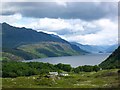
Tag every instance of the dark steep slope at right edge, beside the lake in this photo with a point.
(113, 61)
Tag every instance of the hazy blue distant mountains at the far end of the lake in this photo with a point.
(96, 49)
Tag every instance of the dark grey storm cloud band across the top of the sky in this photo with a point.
(82, 10)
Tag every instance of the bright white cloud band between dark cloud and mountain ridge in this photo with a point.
(97, 32)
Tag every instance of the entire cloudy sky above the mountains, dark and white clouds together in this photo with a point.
(92, 23)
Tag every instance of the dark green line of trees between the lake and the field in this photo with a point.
(15, 69)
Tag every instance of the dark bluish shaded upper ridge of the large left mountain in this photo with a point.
(14, 36)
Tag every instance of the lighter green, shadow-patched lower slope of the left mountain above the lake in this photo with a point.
(48, 49)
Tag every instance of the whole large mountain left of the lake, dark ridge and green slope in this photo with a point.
(29, 44)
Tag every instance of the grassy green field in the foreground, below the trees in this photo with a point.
(100, 79)
